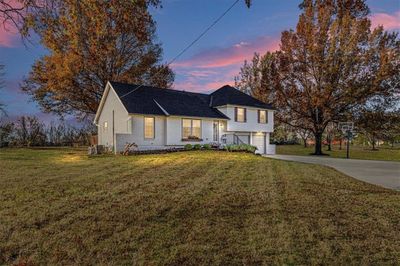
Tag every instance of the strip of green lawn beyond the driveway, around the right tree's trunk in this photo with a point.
(356, 152)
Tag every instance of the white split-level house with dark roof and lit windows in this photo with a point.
(155, 118)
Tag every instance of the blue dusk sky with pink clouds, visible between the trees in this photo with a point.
(212, 62)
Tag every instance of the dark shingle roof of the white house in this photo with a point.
(158, 101)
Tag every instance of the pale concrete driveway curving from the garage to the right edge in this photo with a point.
(381, 173)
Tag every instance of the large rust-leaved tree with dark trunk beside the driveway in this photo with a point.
(331, 64)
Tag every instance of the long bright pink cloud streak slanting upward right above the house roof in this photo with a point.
(234, 54)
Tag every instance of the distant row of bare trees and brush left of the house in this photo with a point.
(28, 131)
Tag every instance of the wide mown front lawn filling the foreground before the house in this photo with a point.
(57, 206)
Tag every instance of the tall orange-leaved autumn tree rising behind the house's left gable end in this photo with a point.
(91, 42)
